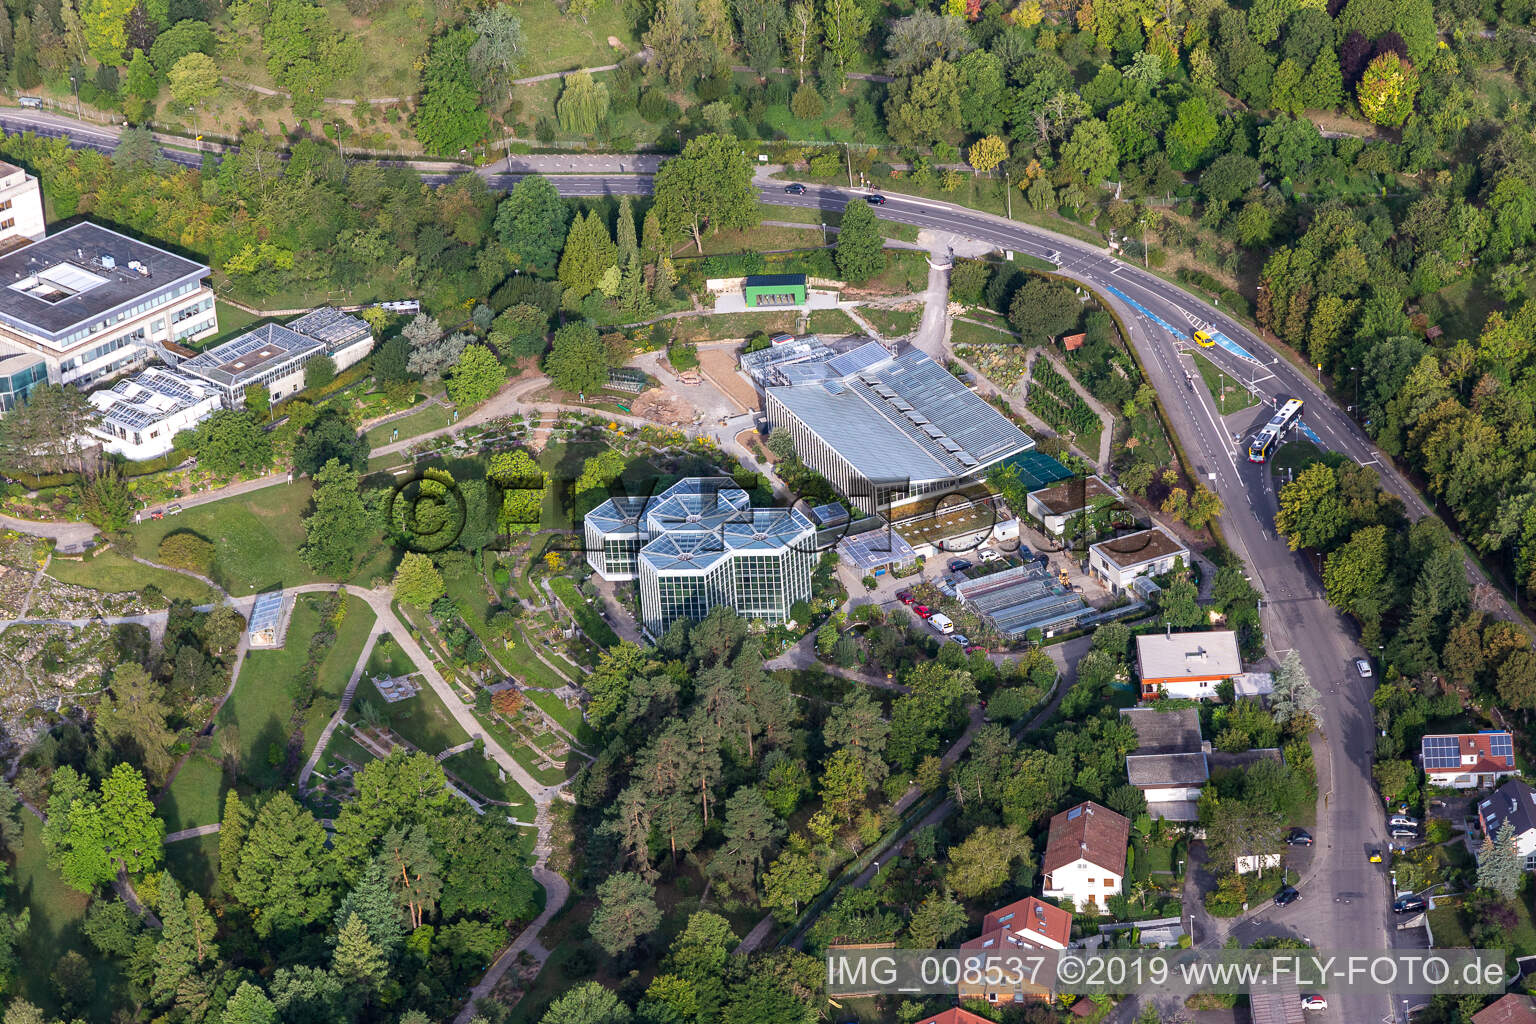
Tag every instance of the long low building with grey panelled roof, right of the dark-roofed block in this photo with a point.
(276, 355)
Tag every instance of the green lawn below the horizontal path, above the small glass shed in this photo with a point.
(257, 540)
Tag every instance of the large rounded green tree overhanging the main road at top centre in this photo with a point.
(710, 183)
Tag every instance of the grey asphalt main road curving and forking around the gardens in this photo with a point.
(1296, 615)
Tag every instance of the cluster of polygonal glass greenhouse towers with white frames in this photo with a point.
(701, 544)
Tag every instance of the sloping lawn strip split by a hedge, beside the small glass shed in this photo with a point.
(262, 705)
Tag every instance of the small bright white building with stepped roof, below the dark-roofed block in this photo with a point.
(142, 415)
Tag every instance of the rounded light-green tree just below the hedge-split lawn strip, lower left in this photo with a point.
(286, 874)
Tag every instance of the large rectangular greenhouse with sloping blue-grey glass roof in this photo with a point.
(887, 429)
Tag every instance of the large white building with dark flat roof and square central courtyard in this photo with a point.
(88, 303)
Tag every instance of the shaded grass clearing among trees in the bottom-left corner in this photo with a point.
(58, 914)
